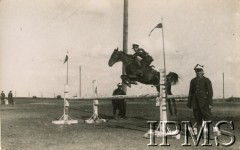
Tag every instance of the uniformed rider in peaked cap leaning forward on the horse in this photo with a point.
(146, 58)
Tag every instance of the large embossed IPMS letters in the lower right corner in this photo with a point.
(204, 134)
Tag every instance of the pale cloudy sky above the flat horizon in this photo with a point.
(36, 35)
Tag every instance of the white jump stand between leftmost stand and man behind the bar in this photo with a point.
(95, 118)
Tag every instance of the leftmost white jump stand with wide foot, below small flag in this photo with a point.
(65, 119)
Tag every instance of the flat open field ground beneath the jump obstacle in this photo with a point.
(28, 126)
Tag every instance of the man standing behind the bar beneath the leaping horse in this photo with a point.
(118, 104)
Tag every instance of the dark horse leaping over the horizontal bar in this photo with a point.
(149, 77)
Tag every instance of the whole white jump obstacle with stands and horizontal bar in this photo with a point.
(95, 118)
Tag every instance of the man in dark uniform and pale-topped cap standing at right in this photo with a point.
(200, 96)
